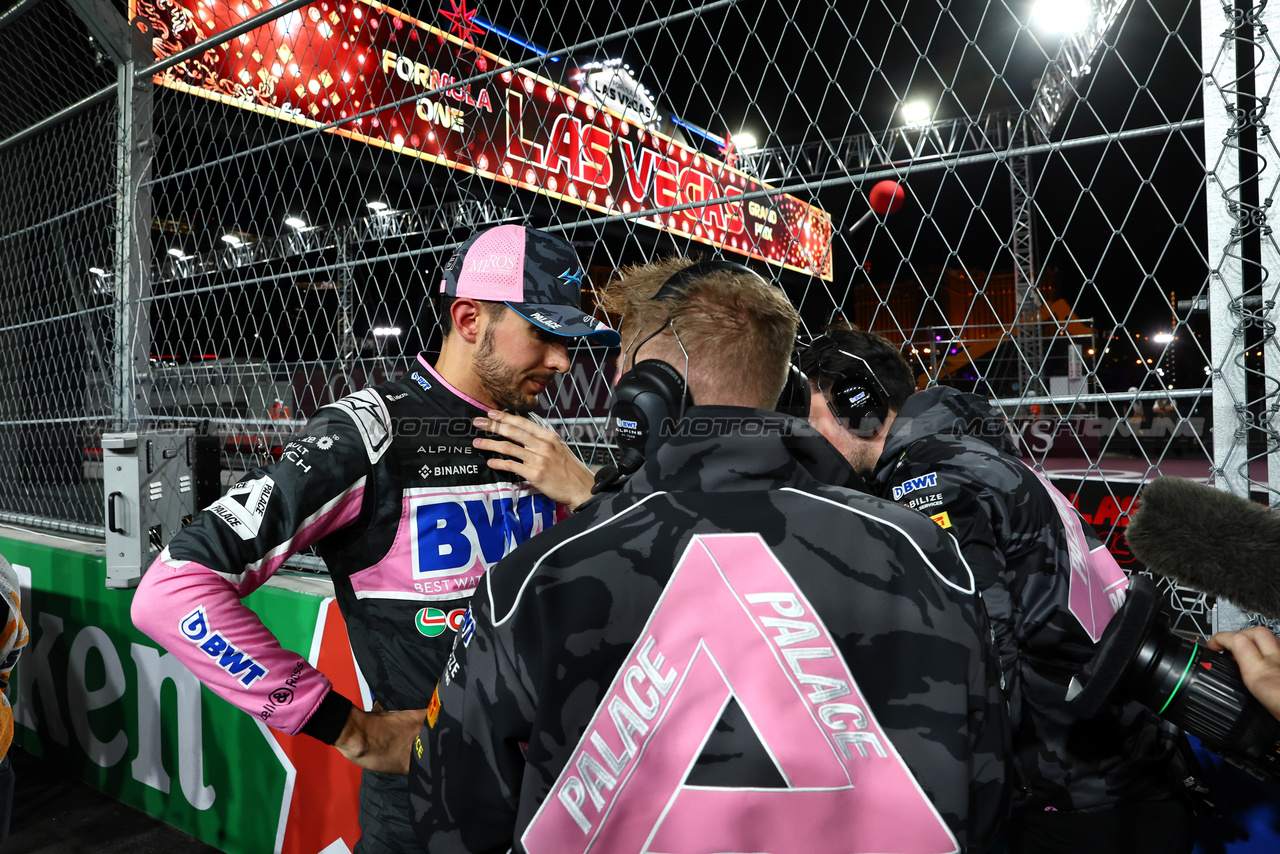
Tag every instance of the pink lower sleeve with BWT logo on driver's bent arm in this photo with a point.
(198, 615)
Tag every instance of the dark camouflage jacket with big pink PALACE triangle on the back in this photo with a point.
(724, 656)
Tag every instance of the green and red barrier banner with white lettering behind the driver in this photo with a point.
(97, 696)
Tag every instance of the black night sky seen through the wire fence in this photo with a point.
(1122, 226)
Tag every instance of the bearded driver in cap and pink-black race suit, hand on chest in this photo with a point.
(406, 503)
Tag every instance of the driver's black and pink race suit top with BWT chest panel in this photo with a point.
(405, 514)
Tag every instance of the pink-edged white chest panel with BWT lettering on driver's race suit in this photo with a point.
(459, 533)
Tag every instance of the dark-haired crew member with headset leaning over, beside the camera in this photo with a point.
(1109, 786)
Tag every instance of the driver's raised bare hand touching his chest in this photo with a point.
(538, 455)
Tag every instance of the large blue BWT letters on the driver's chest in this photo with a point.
(452, 535)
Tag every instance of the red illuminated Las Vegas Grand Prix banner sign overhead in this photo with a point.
(378, 76)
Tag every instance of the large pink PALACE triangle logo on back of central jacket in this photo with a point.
(733, 623)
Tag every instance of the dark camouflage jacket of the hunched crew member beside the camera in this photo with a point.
(1050, 587)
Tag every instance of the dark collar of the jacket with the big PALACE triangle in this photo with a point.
(734, 449)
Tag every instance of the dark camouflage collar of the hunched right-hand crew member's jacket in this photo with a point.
(943, 412)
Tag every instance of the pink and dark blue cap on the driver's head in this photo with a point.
(536, 273)
